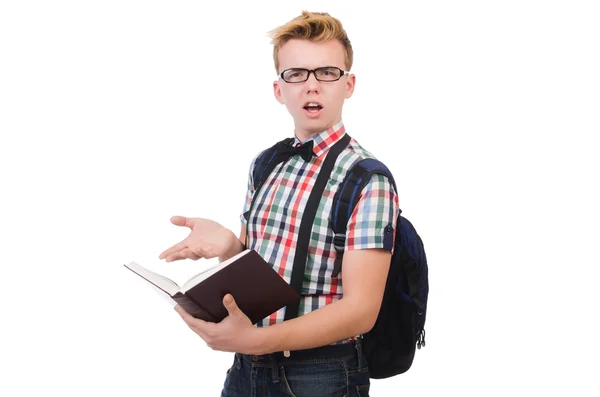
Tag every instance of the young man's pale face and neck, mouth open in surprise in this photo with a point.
(329, 95)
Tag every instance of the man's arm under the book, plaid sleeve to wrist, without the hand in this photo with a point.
(365, 268)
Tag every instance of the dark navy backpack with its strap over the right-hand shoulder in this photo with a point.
(390, 345)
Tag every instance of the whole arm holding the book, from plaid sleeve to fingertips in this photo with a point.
(365, 268)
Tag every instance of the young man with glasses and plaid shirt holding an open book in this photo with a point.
(323, 351)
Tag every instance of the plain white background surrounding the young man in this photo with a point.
(115, 115)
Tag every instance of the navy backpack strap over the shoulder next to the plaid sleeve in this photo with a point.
(346, 199)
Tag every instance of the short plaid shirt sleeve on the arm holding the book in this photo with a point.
(373, 222)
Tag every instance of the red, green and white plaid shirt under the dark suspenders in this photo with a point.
(274, 226)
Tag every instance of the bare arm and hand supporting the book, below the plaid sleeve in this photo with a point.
(365, 274)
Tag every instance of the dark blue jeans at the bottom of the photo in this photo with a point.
(328, 371)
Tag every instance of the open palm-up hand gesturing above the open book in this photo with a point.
(208, 239)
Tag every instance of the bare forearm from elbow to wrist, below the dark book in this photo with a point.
(329, 324)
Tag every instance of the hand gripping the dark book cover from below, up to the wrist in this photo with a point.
(234, 334)
